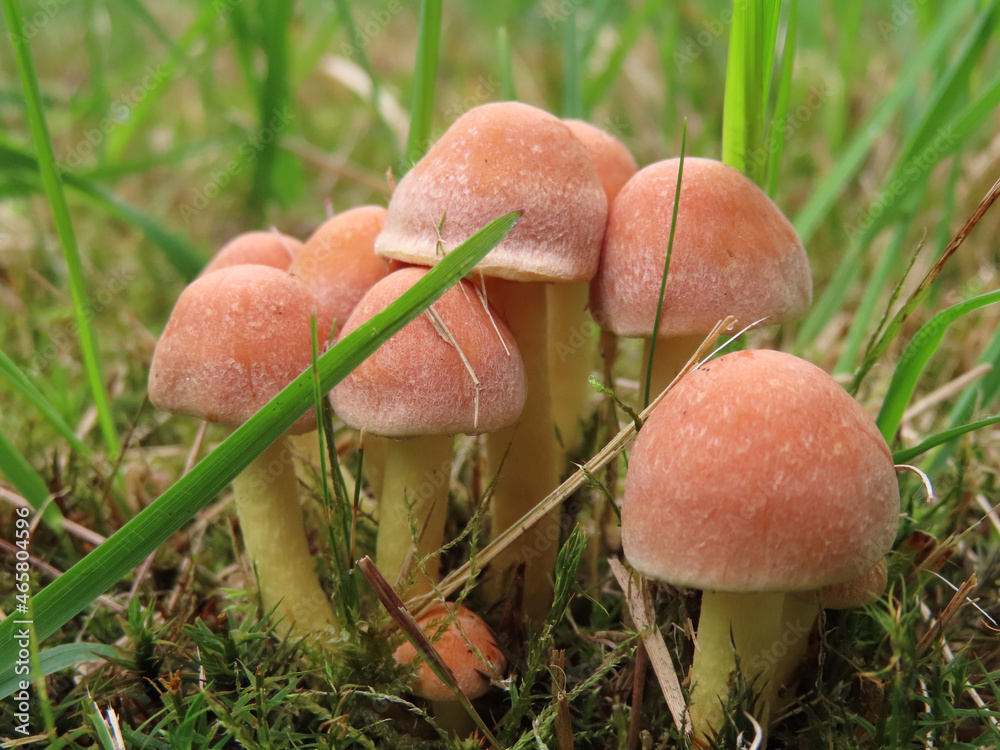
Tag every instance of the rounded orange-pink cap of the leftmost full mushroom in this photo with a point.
(235, 338)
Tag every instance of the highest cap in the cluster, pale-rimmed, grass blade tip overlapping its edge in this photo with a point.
(495, 159)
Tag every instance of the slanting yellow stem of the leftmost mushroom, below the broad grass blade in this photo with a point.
(271, 523)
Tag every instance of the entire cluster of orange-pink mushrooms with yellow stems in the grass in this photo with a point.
(757, 480)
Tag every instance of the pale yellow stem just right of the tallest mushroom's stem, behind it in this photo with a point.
(573, 339)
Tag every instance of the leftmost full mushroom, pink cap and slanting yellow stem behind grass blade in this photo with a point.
(235, 338)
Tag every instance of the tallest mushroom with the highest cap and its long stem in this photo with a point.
(493, 159)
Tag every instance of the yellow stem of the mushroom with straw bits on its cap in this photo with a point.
(414, 496)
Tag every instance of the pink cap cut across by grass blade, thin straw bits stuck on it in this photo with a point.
(417, 383)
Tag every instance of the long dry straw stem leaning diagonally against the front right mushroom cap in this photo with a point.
(454, 580)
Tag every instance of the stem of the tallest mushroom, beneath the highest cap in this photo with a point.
(527, 452)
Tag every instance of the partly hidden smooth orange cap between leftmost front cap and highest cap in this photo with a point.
(338, 263)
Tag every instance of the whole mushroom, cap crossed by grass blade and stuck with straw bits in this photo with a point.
(455, 369)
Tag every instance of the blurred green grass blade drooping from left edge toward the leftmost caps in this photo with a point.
(182, 255)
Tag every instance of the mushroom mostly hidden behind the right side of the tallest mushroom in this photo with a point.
(572, 332)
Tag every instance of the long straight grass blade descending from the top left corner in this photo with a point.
(64, 225)
